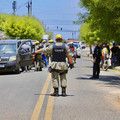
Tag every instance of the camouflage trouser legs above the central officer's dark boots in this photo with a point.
(58, 78)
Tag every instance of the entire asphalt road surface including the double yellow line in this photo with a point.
(27, 96)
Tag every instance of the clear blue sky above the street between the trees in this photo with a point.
(52, 13)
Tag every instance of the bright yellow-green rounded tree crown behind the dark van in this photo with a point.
(22, 27)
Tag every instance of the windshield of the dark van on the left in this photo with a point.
(7, 48)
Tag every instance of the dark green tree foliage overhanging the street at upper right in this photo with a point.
(103, 17)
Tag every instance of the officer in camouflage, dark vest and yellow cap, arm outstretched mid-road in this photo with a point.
(58, 66)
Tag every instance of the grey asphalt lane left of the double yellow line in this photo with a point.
(19, 94)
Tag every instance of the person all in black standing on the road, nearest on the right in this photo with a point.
(96, 61)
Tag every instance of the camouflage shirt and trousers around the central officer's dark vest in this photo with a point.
(58, 69)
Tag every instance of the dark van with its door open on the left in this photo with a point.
(14, 55)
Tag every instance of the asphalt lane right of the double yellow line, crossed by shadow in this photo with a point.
(88, 99)
